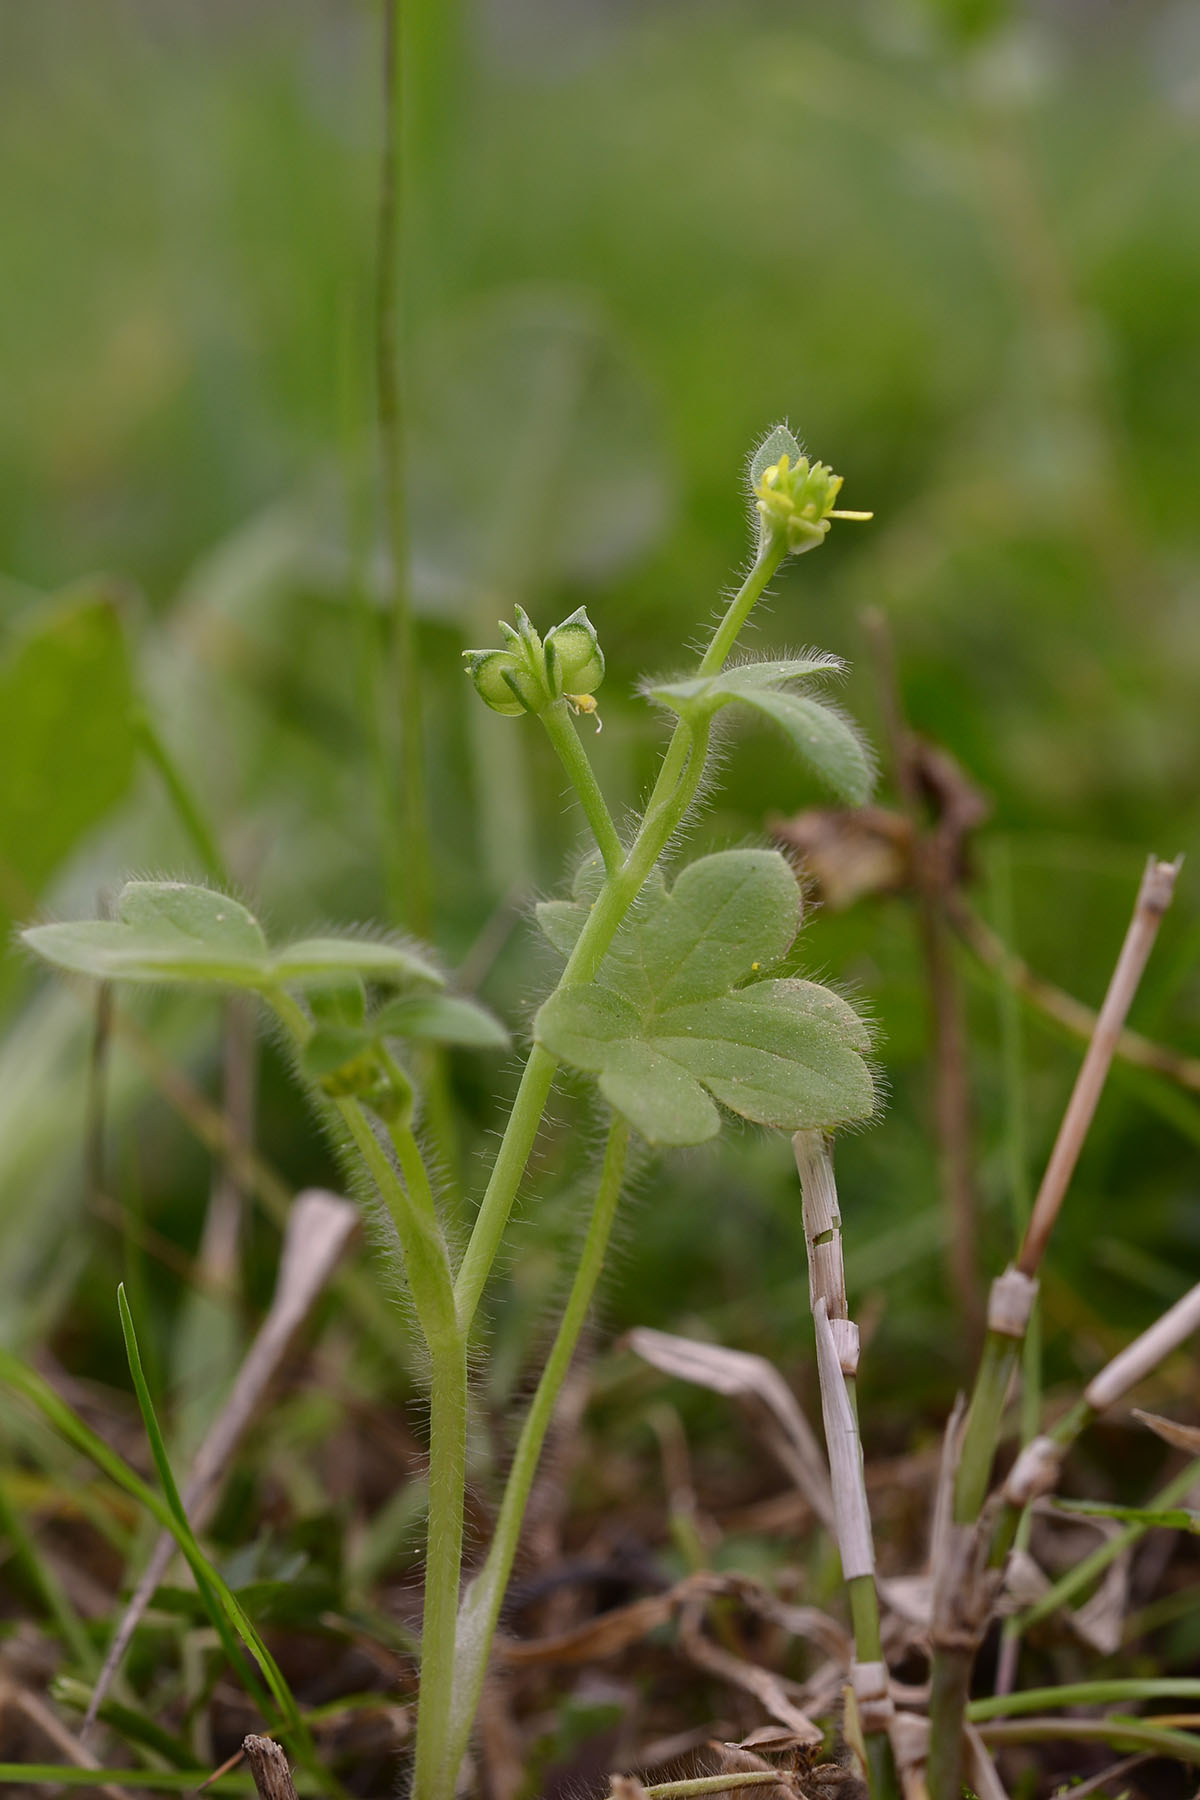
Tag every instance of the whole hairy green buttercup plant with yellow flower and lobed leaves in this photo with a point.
(670, 996)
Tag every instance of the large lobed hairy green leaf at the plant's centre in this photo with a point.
(670, 1029)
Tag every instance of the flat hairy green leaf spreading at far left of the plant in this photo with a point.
(177, 933)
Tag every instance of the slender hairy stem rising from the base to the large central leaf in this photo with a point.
(481, 1605)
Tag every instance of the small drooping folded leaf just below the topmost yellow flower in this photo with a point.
(816, 730)
